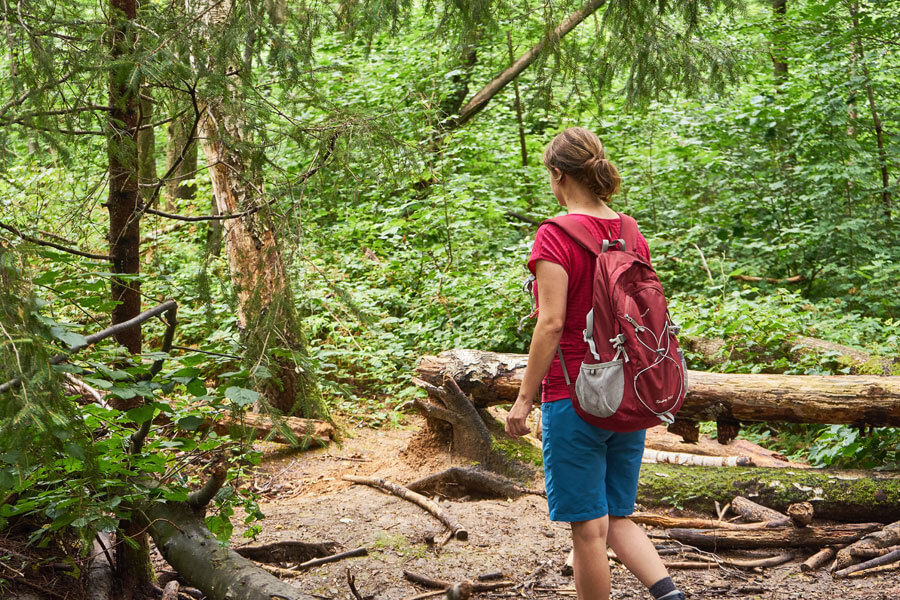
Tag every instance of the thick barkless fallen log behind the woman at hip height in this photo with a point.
(493, 378)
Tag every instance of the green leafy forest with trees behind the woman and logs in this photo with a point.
(373, 209)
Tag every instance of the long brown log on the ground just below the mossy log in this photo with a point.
(777, 537)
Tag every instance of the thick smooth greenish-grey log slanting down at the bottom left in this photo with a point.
(216, 570)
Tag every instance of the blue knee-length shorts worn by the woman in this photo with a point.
(589, 472)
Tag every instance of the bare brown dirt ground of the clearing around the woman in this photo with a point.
(305, 499)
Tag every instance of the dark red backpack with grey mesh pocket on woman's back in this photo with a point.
(633, 375)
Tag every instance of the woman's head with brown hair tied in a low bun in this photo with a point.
(579, 154)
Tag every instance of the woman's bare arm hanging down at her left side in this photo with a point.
(553, 283)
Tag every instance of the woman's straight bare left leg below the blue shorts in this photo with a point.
(591, 565)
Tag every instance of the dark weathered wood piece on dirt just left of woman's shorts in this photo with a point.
(470, 481)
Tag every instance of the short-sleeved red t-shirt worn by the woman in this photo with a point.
(551, 243)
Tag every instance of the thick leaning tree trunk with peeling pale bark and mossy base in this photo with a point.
(265, 311)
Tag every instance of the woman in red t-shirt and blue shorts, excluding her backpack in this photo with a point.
(591, 474)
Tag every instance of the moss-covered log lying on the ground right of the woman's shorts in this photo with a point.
(838, 495)
